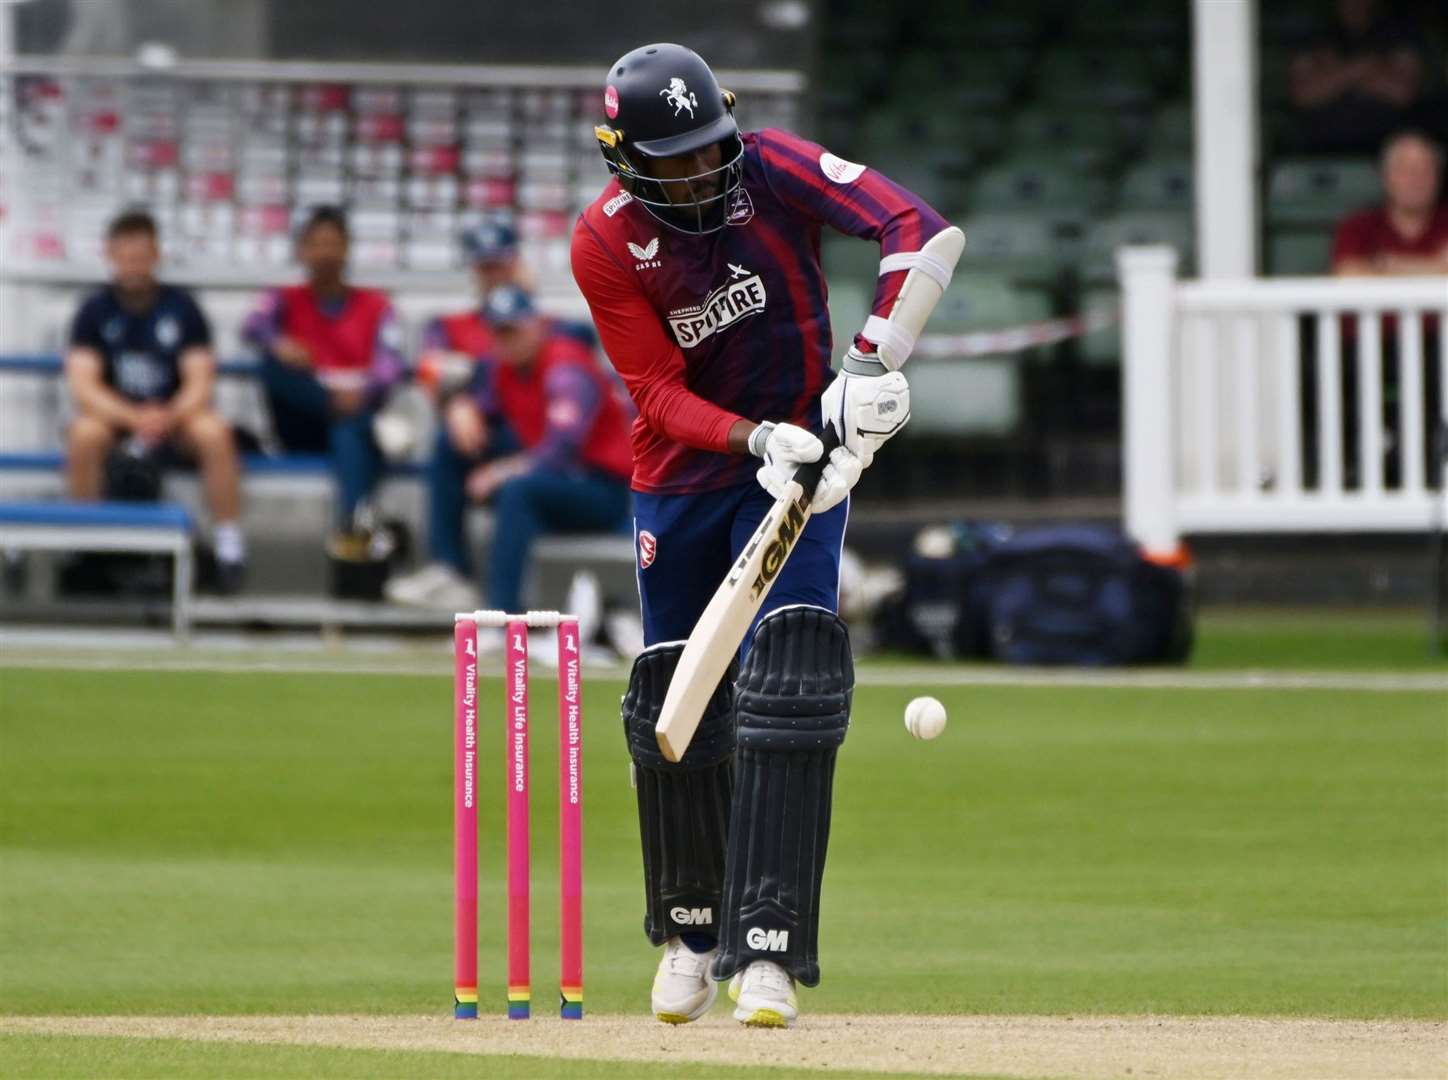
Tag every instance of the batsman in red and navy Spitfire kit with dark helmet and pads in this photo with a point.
(700, 263)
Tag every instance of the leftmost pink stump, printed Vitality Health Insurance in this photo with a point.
(466, 820)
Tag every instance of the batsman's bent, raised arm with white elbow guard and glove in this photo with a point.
(870, 400)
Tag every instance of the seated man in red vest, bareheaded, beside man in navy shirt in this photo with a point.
(331, 354)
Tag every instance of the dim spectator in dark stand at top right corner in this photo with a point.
(1357, 82)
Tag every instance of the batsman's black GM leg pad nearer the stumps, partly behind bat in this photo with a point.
(684, 809)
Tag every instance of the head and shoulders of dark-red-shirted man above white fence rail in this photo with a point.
(1410, 232)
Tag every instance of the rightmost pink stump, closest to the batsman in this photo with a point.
(571, 822)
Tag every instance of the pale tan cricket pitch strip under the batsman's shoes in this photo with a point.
(1085, 1047)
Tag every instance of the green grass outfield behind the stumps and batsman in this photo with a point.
(280, 843)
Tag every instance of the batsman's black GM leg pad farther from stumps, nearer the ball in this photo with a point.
(793, 706)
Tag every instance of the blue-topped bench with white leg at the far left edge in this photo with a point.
(109, 528)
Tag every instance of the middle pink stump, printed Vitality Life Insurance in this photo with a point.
(516, 681)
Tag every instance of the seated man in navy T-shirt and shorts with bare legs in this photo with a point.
(141, 371)
